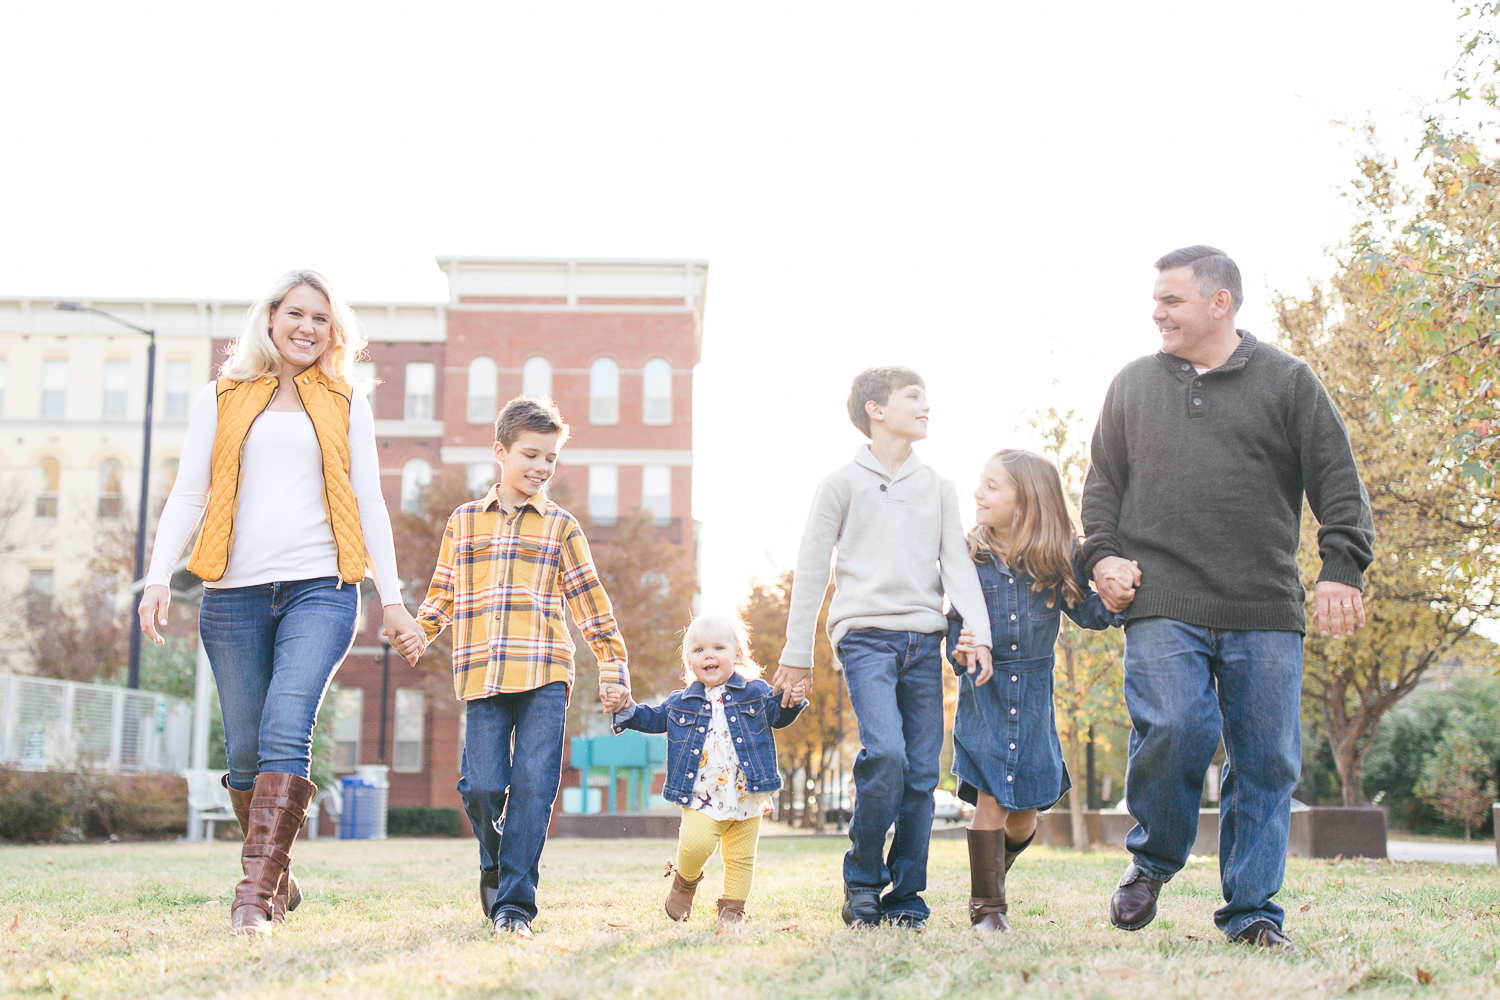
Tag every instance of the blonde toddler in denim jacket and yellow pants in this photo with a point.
(721, 761)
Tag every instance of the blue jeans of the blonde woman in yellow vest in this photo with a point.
(274, 650)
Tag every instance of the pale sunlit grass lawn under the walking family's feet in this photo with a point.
(400, 918)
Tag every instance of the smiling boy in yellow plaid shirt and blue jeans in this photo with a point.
(509, 563)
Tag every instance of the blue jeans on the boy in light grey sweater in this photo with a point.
(896, 689)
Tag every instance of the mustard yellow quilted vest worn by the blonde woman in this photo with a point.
(328, 404)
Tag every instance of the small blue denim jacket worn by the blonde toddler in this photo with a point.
(752, 713)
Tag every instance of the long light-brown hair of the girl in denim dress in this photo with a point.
(1046, 530)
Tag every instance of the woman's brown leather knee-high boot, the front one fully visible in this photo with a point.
(278, 807)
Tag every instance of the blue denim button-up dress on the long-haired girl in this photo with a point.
(1006, 734)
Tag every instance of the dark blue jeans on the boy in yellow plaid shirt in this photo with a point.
(514, 741)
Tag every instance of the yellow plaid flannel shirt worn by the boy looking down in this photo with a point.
(502, 582)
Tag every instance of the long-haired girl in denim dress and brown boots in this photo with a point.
(1006, 749)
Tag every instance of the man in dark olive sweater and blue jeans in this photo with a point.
(1201, 461)
